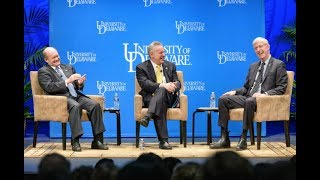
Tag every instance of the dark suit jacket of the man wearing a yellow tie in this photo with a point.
(148, 82)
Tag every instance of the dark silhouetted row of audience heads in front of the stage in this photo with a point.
(223, 165)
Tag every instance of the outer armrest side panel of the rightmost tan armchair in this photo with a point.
(275, 107)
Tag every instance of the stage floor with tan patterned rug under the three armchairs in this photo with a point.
(272, 149)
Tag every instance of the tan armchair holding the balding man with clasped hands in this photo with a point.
(52, 108)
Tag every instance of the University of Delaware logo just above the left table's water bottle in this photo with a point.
(106, 86)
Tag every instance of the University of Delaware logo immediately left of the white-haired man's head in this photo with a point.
(231, 56)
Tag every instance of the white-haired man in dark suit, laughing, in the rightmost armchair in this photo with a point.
(273, 81)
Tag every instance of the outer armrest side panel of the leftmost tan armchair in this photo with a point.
(47, 106)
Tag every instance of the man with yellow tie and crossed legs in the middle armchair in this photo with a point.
(159, 92)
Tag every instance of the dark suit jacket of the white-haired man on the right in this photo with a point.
(275, 78)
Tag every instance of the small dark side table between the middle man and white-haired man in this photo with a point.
(209, 129)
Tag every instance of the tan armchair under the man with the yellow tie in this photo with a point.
(180, 113)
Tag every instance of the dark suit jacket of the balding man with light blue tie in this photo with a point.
(52, 83)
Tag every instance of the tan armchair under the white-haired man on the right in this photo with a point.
(270, 108)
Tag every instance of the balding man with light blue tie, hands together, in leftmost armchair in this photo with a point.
(62, 80)
